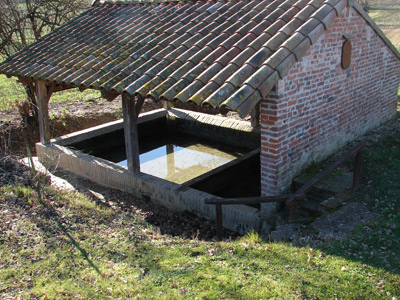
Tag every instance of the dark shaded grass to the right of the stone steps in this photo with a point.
(377, 243)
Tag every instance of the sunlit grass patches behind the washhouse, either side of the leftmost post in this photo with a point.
(11, 92)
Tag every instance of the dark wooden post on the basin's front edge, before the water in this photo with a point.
(131, 134)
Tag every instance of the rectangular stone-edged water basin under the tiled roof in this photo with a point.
(185, 158)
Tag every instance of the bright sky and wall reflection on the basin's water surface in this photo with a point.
(180, 164)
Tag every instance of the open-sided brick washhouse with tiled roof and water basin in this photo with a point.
(312, 74)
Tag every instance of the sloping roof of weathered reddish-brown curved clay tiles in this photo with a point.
(227, 54)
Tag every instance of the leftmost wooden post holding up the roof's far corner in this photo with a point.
(43, 98)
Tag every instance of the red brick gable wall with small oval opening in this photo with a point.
(319, 106)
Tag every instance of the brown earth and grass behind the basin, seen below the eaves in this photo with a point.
(67, 118)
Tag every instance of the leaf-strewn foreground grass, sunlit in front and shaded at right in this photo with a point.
(81, 249)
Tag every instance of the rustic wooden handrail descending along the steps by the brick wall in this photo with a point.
(291, 200)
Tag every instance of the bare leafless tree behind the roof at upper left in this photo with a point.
(25, 21)
